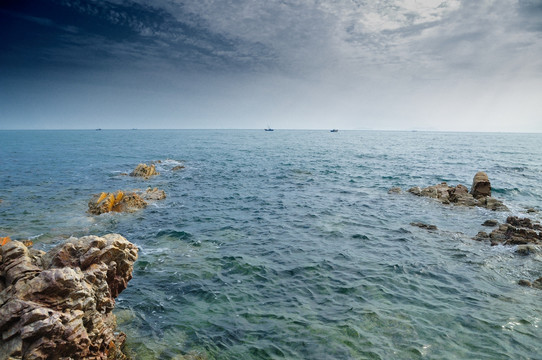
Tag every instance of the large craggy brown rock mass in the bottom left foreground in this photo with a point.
(58, 305)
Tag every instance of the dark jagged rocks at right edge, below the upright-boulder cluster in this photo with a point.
(516, 231)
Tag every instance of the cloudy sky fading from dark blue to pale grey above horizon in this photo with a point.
(444, 65)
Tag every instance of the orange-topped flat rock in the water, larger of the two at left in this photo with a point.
(123, 201)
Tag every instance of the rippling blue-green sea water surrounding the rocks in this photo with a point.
(287, 245)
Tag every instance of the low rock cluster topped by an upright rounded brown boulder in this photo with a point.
(479, 195)
